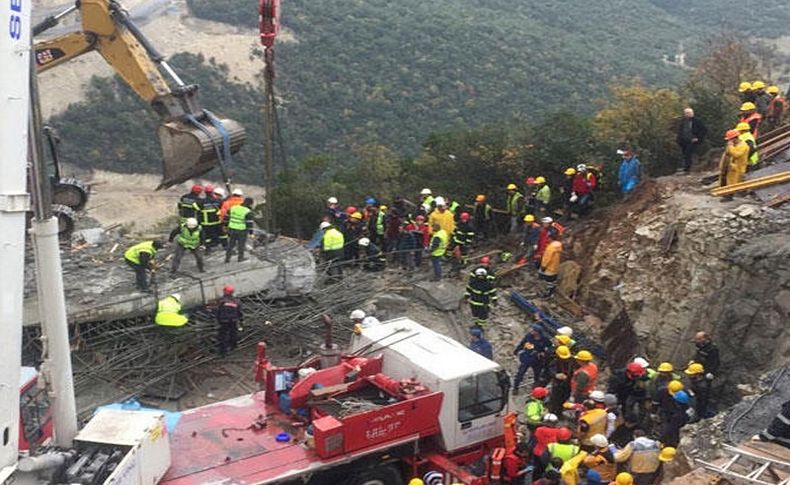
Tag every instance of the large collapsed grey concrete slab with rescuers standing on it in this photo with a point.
(99, 286)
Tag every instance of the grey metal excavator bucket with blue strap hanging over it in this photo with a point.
(189, 151)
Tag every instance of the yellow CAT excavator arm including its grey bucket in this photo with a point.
(193, 140)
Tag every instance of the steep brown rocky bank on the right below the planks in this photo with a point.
(673, 260)
